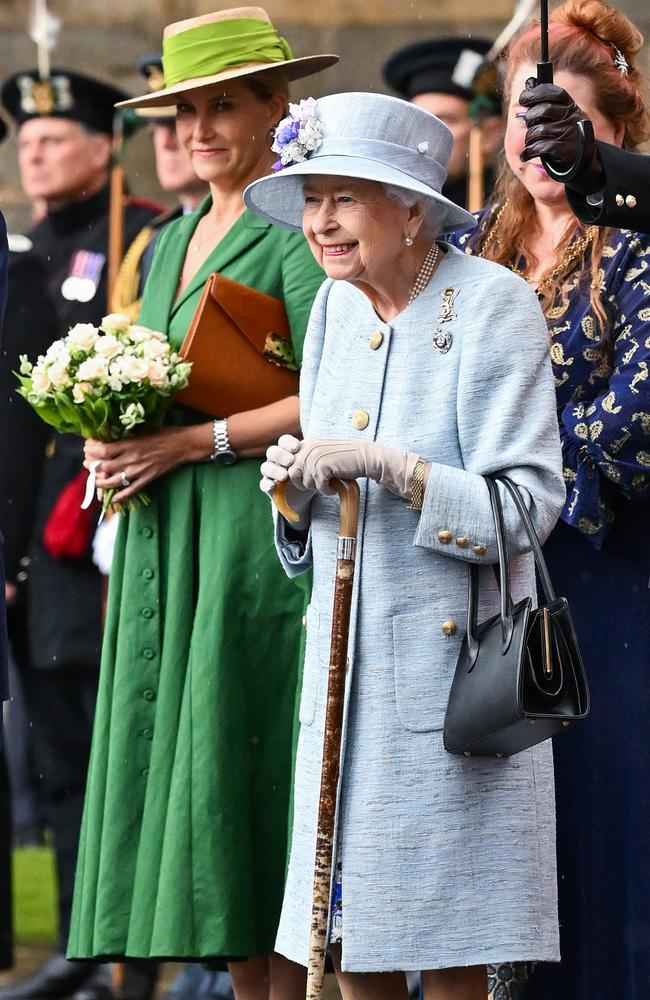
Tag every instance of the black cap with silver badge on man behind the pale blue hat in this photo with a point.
(441, 66)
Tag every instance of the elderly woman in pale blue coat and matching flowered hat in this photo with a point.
(422, 367)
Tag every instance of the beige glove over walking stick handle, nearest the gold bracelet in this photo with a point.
(320, 459)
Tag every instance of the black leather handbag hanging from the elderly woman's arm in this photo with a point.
(519, 678)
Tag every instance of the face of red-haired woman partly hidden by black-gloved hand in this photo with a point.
(532, 174)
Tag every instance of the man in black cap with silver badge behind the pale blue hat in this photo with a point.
(439, 75)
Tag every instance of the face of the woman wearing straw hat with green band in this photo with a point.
(225, 130)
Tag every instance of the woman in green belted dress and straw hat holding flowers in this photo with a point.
(183, 846)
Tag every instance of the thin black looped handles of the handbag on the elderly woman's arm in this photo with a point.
(505, 609)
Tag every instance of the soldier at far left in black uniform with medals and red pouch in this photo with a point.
(65, 127)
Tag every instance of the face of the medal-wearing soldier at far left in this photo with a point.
(60, 161)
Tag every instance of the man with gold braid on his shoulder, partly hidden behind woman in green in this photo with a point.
(175, 176)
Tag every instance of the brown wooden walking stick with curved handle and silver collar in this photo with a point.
(348, 492)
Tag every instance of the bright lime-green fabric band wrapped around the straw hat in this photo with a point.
(211, 48)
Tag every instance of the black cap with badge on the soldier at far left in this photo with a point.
(64, 94)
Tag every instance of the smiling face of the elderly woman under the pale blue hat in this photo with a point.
(355, 231)
